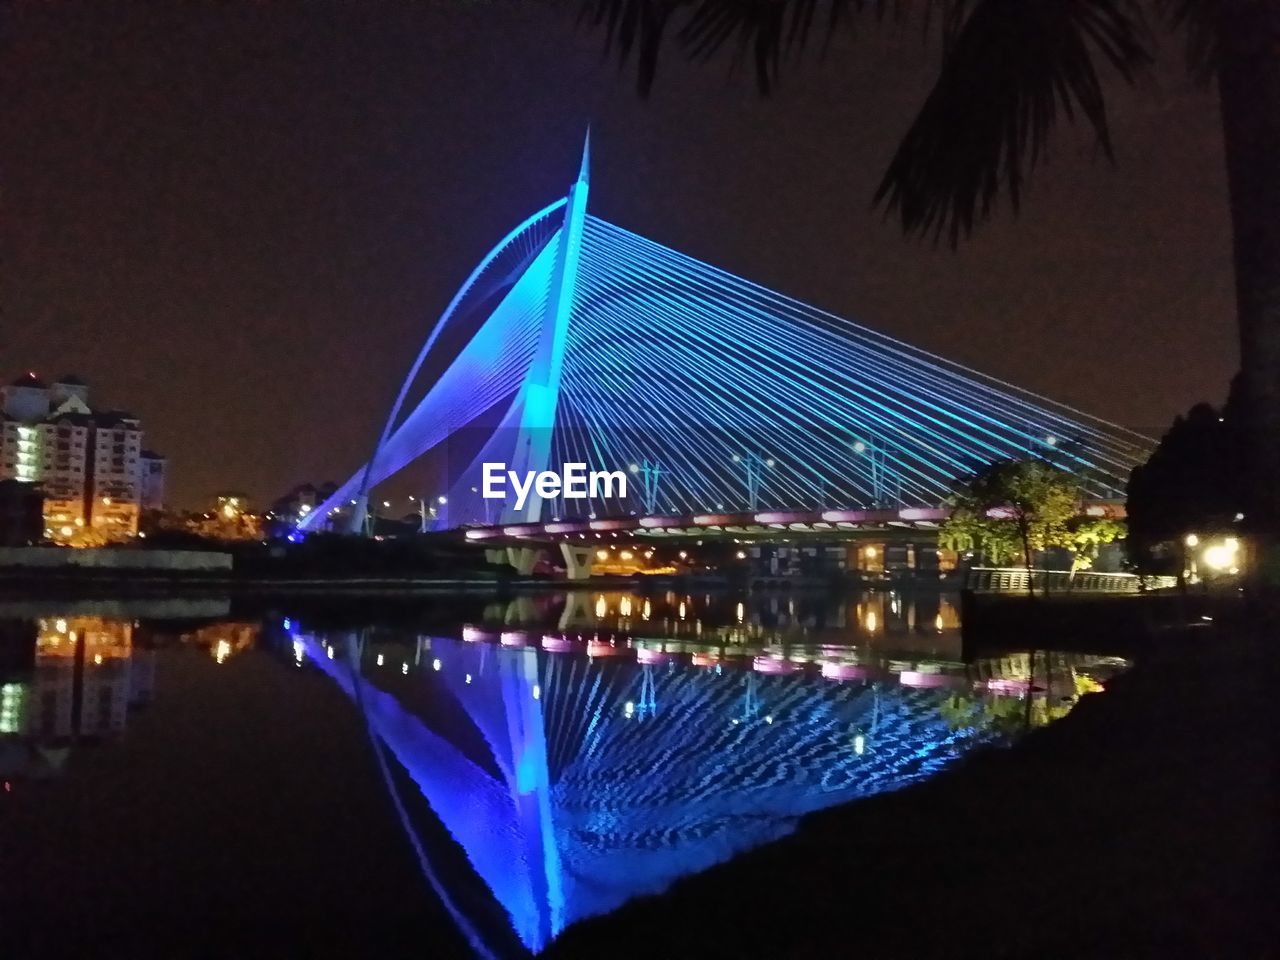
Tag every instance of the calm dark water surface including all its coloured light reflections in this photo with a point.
(465, 776)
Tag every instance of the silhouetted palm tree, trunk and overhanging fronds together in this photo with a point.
(1011, 70)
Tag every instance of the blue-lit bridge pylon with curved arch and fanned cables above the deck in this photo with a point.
(578, 341)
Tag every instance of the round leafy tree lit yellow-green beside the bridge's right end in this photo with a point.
(1011, 508)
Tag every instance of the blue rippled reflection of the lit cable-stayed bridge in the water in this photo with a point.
(578, 774)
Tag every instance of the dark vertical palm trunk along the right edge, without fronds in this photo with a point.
(1250, 93)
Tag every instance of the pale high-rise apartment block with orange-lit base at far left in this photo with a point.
(95, 476)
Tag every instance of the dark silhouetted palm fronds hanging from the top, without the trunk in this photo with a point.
(1011, 71)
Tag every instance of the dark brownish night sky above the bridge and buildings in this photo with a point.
(240, 221)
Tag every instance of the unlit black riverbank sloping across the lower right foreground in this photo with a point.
(1140, 826)
